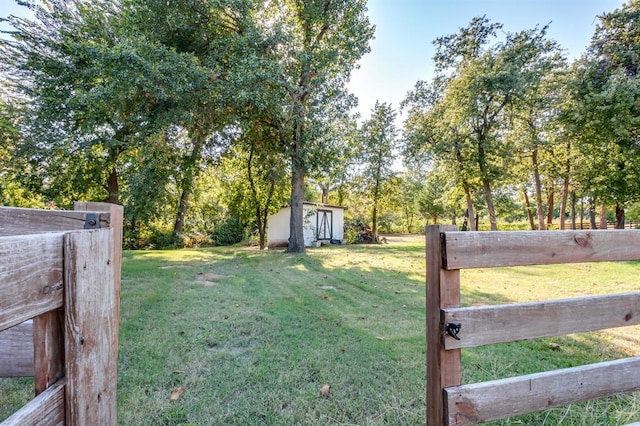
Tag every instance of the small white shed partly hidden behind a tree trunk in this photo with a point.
(322, 222)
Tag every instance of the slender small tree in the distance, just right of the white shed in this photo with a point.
(377, 154)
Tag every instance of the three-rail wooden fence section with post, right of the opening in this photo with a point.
(451, 328)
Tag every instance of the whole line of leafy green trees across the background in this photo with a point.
(202, 117)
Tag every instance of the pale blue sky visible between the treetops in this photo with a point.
(405, 29)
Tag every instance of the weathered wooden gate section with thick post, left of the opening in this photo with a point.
(59, 310)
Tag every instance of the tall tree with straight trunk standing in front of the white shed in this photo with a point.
(324, 41)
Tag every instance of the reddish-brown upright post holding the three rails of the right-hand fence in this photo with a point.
(443, 291)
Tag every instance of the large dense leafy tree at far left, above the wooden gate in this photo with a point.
(97, 89)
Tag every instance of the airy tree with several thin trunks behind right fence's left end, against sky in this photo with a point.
(468, 103)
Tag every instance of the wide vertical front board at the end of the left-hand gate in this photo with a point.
(91, 328)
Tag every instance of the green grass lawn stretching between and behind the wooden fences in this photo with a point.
(250, 337)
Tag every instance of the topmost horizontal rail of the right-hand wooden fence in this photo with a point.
(492, 249)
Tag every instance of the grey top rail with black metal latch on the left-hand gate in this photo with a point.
(21, 221)
